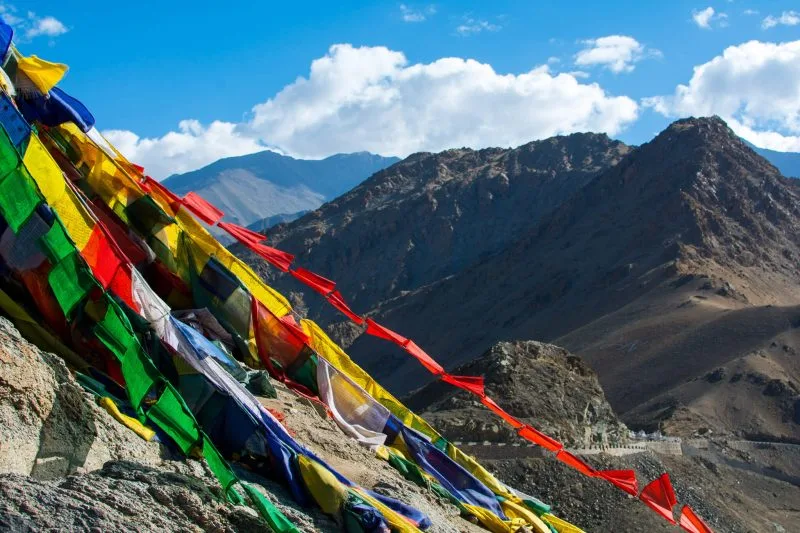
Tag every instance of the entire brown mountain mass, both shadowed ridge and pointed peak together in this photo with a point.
(664, 267)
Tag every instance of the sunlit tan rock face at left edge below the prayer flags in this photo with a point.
(50, 427)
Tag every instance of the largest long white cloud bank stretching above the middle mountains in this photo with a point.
(372, 98)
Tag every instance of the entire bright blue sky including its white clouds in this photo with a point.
(144, 67)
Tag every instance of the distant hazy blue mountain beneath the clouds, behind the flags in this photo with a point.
(251, 187)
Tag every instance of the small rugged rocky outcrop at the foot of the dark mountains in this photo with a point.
(541, 384)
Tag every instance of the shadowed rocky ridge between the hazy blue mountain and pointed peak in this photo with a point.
(433, 215)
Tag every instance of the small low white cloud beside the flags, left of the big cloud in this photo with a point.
(191, 147)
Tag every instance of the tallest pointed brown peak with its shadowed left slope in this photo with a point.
(626, 249)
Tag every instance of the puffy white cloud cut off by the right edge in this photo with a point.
(753, 86)
